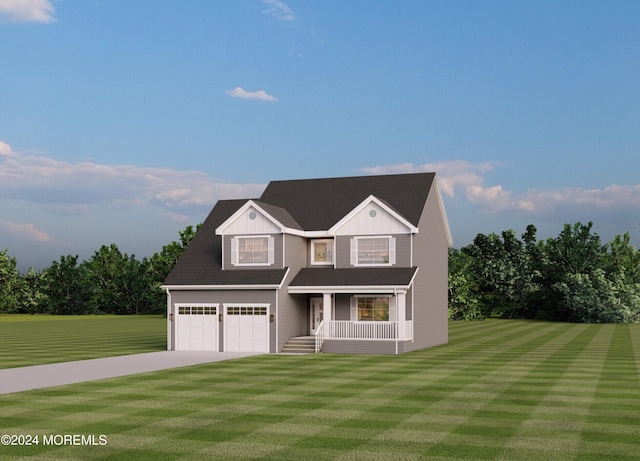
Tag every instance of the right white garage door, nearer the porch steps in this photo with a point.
(247, 329)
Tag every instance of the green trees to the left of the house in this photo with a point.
(110, 282)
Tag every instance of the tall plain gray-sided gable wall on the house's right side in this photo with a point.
(430, 293)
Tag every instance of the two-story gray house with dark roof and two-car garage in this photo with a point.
(359, 264)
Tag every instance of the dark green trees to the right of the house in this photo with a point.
(573, 277)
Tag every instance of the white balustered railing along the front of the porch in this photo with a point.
(345, 329)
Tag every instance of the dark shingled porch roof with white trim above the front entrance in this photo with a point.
(312, 279)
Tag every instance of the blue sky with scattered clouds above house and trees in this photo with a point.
(123, 122)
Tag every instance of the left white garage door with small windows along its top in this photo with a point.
(197, 328)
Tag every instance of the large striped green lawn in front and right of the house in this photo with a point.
(501, 389)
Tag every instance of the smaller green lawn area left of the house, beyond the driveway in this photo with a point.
(39, 339)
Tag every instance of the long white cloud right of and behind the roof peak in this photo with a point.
(464, 178)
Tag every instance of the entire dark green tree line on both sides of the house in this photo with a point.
(573, 277)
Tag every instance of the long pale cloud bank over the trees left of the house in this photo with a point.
(72, 188)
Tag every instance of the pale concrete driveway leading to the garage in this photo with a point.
(57, 374)
